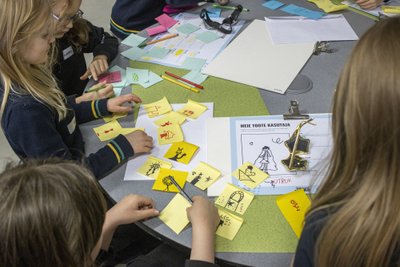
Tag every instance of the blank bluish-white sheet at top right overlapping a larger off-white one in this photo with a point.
(287, 30)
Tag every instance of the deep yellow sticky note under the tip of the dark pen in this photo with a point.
(164, 183)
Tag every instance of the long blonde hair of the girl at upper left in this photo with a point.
(19, 21)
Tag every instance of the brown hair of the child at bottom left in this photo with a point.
(52, 214)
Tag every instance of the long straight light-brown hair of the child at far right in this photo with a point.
(361, 190)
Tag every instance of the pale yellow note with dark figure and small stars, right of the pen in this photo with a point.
(203, 176)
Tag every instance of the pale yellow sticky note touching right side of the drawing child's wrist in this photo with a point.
(229, 224)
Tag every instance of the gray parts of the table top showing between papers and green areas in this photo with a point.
(323, 70)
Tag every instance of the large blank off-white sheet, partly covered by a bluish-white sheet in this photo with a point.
(259, 62)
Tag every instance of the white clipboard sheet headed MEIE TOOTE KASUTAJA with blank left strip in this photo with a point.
(260, 140)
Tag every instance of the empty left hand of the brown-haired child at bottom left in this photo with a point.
(130, 209)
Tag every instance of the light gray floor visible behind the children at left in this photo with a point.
(96, 11)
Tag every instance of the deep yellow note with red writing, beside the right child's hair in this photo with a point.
(293, 207)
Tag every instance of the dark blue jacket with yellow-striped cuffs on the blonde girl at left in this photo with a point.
(34, 131)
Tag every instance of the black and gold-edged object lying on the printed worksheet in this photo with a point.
(296, 145)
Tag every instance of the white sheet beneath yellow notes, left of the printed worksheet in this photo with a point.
(193, 131)
